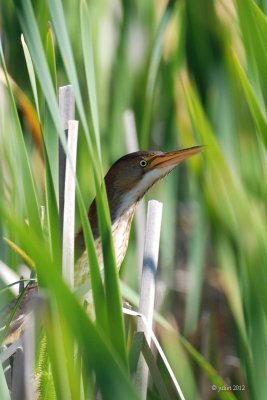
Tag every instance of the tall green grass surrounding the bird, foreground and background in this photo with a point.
(192, 74)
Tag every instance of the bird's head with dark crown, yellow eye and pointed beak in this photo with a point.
(131, 176)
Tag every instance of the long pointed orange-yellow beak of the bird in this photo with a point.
(174, 158)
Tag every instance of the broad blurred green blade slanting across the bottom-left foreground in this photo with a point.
(96, 350)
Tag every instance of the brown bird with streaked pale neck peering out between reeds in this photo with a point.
(127, 181)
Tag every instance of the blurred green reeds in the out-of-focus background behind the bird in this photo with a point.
(193, 72)
